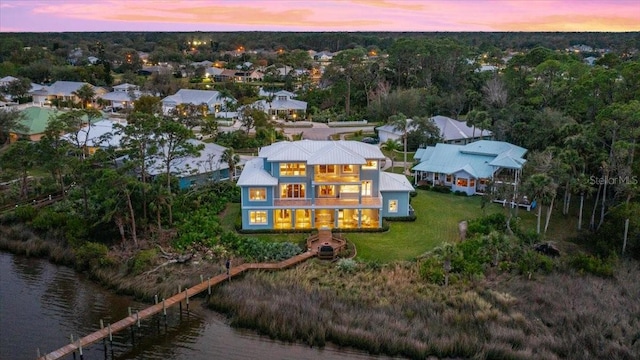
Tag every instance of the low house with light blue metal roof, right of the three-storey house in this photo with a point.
(469, 168)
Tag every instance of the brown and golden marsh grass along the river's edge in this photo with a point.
(391, 311)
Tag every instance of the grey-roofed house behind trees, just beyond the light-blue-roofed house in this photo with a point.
(451, 131)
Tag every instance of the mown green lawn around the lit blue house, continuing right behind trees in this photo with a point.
(437, 221)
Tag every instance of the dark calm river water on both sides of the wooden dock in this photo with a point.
(42, 304)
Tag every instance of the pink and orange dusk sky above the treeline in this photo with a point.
(319, 15)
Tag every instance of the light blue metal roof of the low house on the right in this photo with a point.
(479, 159)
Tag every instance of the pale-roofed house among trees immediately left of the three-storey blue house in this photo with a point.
(197, 170)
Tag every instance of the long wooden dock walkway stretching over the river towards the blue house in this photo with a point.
(167, 303)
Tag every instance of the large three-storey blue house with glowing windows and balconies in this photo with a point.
(311, 184)
